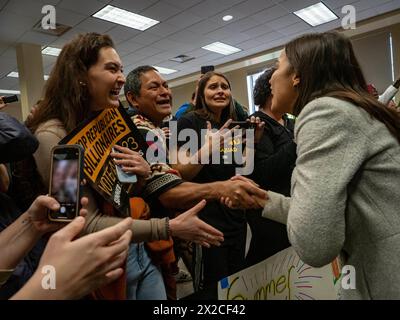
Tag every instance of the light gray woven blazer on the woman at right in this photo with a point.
(345, 196)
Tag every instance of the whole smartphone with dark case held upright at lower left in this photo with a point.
(66, 181)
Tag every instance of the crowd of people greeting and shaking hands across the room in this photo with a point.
(322, 183)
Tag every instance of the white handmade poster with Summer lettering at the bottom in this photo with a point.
(282, 277)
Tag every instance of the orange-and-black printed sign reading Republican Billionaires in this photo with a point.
(97, 136)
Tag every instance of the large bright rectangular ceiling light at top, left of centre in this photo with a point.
(125, 18)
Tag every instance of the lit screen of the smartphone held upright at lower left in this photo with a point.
(65, 183)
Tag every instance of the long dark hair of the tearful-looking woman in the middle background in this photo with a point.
(201, 107)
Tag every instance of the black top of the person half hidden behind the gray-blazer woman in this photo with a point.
(275, 156)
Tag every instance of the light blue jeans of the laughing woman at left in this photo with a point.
(144, 279)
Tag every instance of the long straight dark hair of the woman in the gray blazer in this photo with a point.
(327, 66)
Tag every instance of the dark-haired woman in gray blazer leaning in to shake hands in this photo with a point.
(345, 196)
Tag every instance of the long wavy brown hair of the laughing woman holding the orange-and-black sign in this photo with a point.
(66, 95)
